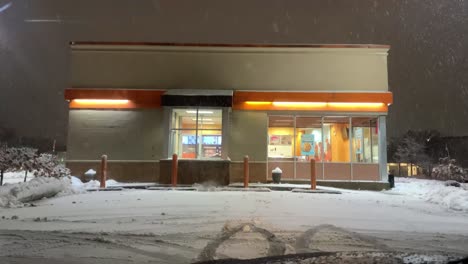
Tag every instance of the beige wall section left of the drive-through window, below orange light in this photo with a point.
(122, 135)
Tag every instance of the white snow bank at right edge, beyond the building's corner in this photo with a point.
(433, 191)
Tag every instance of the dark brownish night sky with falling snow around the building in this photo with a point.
(428, 68)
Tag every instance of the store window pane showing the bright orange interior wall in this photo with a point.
(336, 136)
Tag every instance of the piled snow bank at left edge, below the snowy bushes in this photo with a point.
(14, 195)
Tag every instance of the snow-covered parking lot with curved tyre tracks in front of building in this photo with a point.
(183, 222)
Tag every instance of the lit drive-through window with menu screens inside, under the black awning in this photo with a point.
(196, 133)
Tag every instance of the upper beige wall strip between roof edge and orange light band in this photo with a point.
(238, 68)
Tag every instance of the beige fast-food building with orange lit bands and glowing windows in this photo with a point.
(282, 105)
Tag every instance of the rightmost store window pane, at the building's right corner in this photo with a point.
(365, 147)
